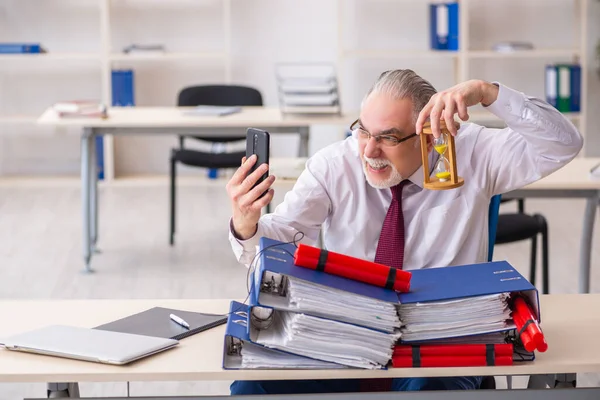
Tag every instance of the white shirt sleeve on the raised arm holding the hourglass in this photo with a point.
(537, 141)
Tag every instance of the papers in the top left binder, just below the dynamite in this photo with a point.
(306, 297)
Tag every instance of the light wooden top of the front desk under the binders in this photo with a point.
(570, 323)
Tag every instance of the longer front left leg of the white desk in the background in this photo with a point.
(86, 148)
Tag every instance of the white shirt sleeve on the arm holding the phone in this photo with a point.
(297, 219)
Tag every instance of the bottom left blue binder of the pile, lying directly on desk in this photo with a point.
(237, 338)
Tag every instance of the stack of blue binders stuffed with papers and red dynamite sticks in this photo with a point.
(454, 316)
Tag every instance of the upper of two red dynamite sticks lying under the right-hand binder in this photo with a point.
(505, 349)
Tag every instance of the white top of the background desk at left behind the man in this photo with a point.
(172, 117)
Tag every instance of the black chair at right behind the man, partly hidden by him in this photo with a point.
(514, 227)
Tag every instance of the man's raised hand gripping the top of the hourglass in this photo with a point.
(456, 100)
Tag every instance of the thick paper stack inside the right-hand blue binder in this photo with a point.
(458, 317)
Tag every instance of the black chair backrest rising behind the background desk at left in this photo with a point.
(219, 95)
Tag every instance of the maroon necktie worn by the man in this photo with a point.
(390, 249)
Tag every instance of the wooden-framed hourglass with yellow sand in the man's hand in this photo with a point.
(445, 175)
